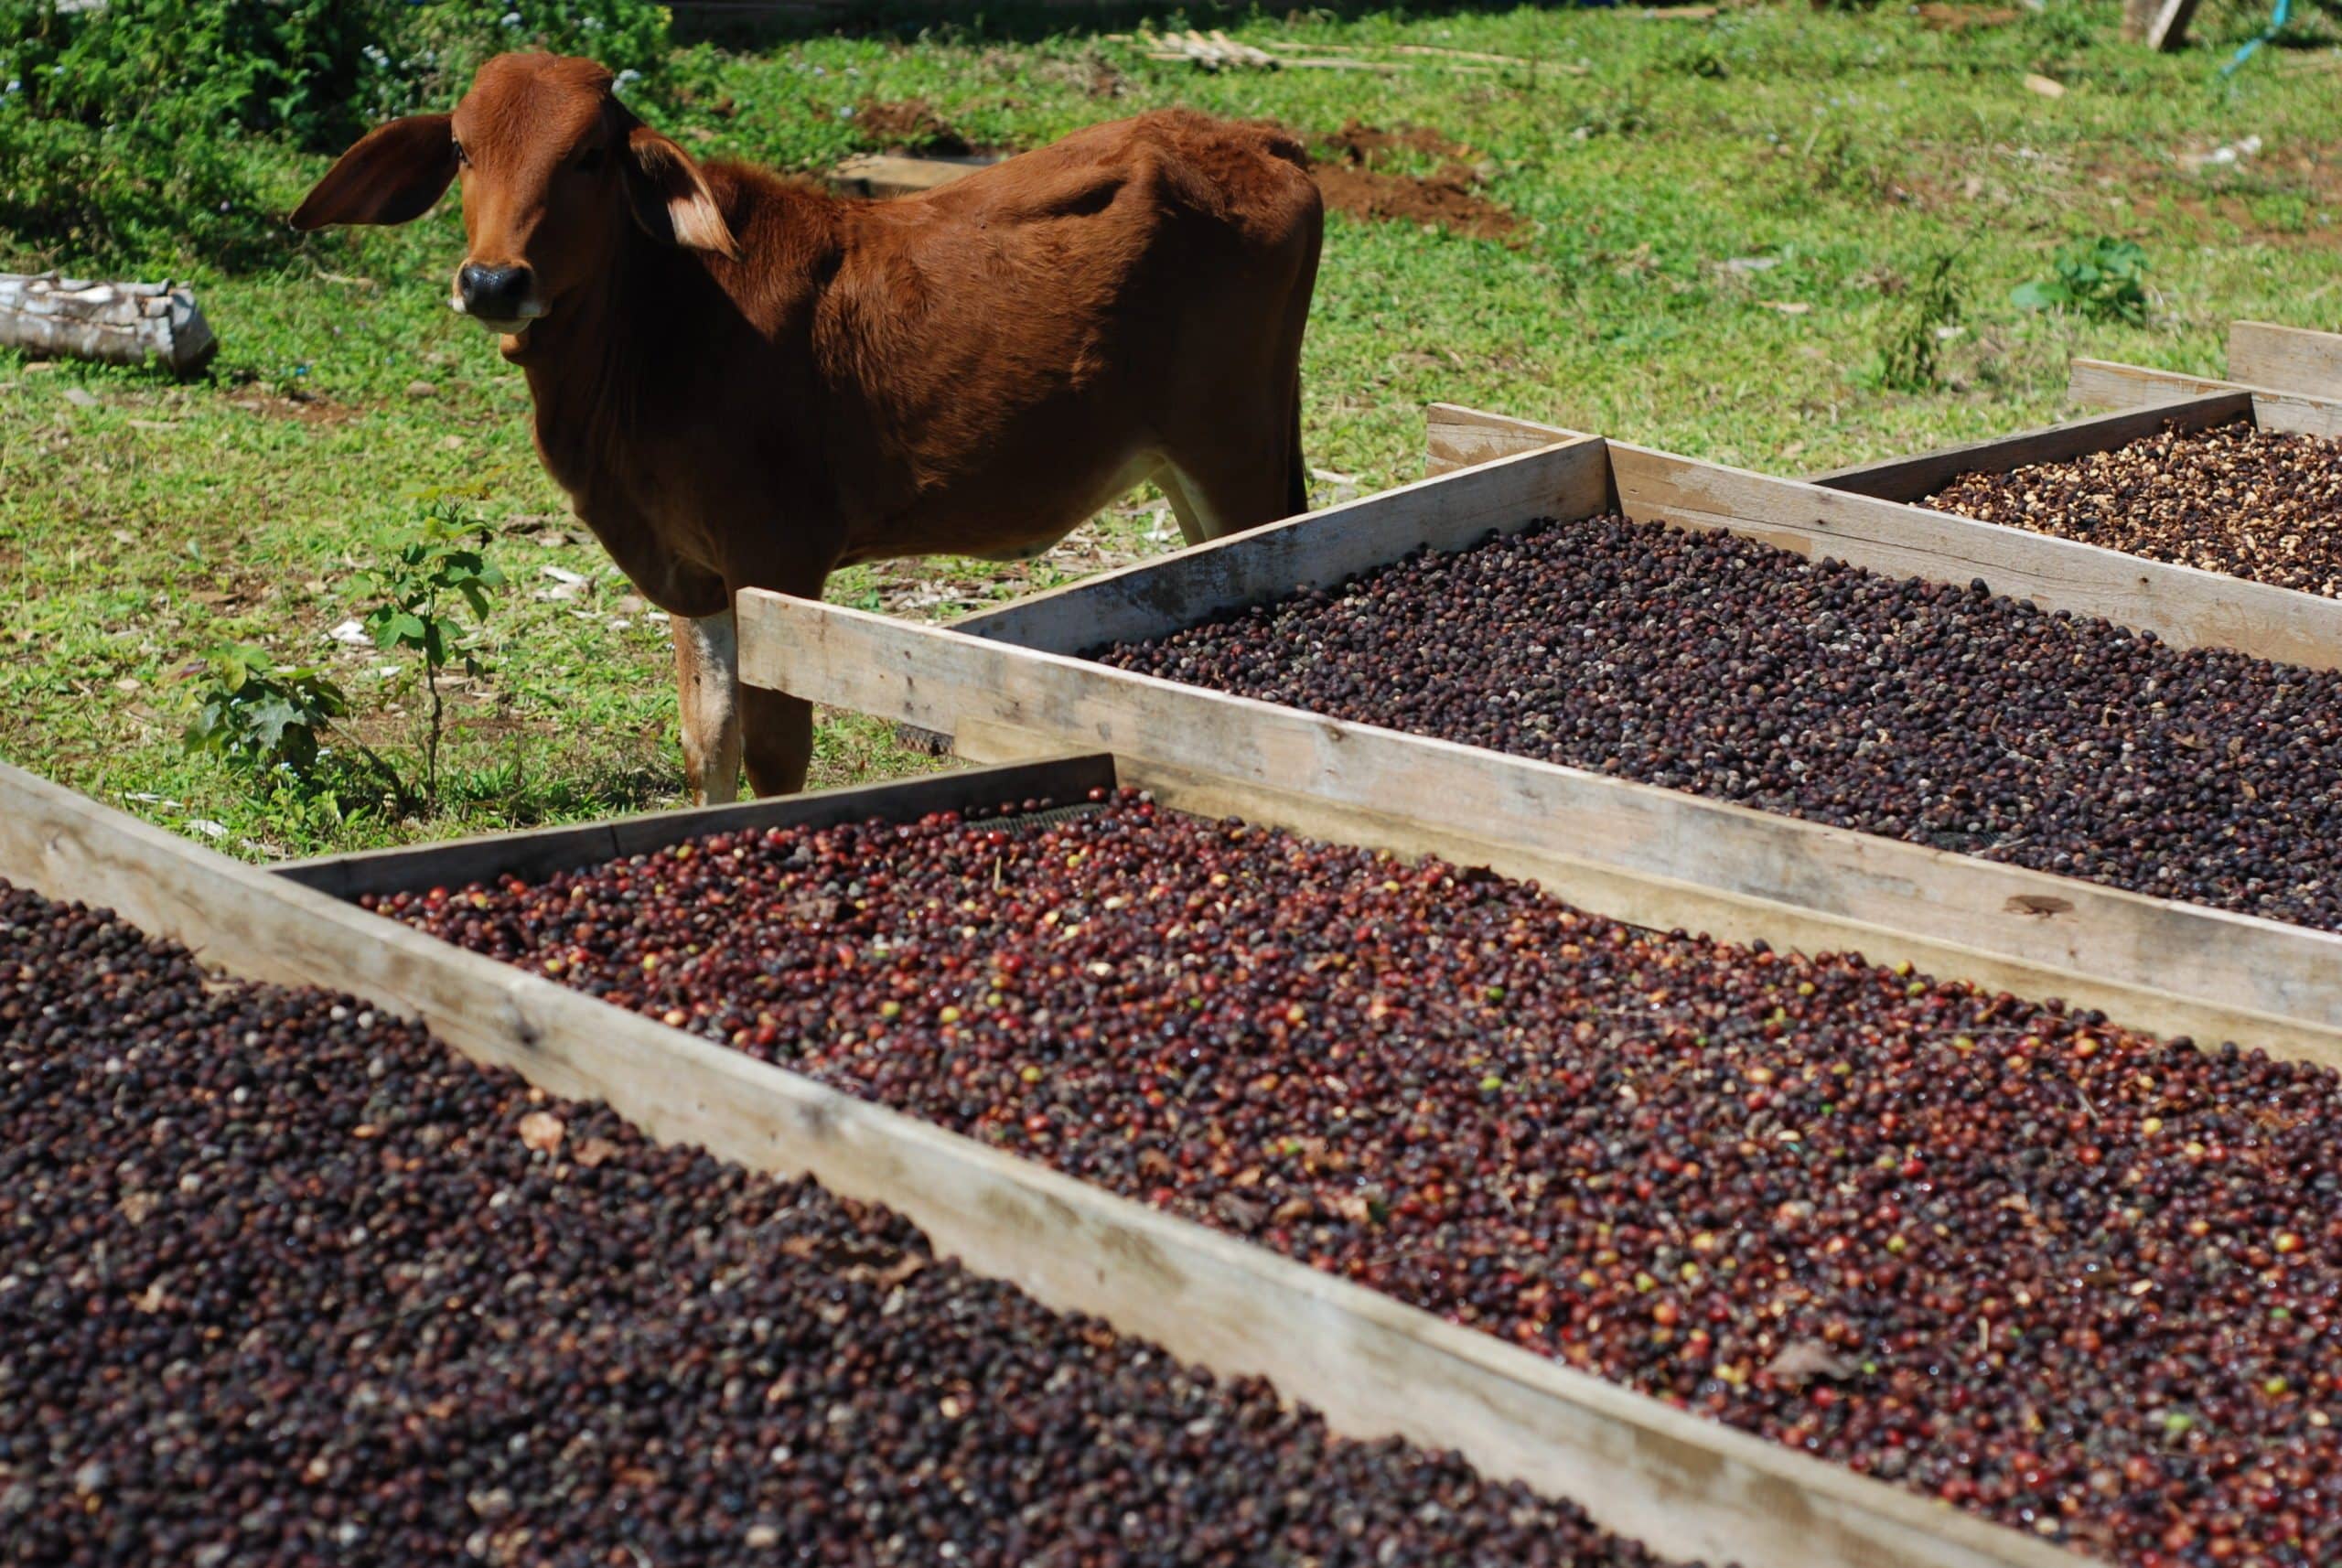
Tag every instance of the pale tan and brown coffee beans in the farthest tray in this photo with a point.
(2231, 500)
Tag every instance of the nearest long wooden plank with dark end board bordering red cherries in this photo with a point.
(1685, 1485)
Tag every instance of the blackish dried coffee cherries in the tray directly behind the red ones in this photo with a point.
(1917, 710)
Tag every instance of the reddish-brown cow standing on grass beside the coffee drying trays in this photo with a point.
(748, 383)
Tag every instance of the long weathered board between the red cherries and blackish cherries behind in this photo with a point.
(1666, 858)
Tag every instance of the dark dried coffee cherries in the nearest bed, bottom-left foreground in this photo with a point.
(282, 1281)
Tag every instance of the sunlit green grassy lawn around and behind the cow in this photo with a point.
(1718, 231)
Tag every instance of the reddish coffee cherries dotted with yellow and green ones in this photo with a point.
(2053, 1272)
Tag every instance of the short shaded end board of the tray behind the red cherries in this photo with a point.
(1310, 551)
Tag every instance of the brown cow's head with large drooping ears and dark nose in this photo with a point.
(554, 170)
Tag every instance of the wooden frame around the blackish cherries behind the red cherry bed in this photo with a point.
(1011, 685)
